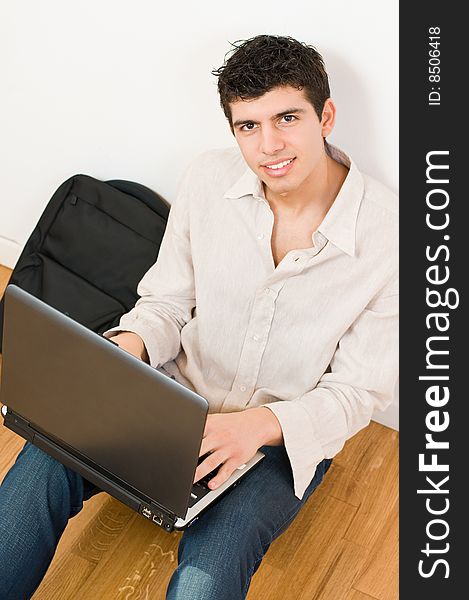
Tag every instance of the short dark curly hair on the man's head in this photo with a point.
(264, 62)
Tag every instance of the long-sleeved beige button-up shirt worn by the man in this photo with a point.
(314, 339)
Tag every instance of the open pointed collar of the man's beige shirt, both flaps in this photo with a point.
(339, 224)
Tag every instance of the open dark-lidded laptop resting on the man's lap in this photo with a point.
(123, 425)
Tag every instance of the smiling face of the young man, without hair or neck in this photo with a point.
(281, 127)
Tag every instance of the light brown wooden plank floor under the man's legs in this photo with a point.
(342, 546)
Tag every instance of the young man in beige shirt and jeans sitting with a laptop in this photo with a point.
(274, 296)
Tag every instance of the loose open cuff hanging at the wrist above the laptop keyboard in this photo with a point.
(303, 450)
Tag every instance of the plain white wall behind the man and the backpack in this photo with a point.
(119, 89)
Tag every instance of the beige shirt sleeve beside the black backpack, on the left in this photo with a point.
(167, 291)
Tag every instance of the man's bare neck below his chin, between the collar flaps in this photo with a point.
(316, 196)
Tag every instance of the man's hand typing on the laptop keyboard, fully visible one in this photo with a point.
(233, 439)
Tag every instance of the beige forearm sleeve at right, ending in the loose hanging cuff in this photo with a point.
(362, 377)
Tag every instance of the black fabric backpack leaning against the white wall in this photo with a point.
(91, 246)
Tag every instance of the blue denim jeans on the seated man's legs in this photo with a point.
(217, 555)
